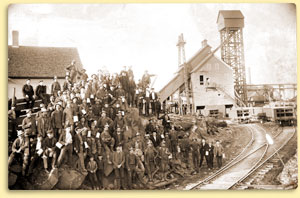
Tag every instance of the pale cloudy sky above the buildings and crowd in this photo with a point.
(144, 36)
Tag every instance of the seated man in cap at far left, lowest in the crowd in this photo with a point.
(20, 147)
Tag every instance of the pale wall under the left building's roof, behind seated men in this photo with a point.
(18, 84)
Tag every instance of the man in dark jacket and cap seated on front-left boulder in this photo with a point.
(49, 150)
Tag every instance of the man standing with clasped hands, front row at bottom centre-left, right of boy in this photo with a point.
(118, 161)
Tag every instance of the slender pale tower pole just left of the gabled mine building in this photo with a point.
(182, 62)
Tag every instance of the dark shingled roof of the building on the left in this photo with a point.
(40, 62)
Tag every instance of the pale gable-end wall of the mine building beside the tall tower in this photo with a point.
(220, 75)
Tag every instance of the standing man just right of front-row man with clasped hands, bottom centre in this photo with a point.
(131, 163)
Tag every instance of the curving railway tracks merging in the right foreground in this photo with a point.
(255, 154)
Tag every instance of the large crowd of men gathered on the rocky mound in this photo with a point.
(84, 120)
